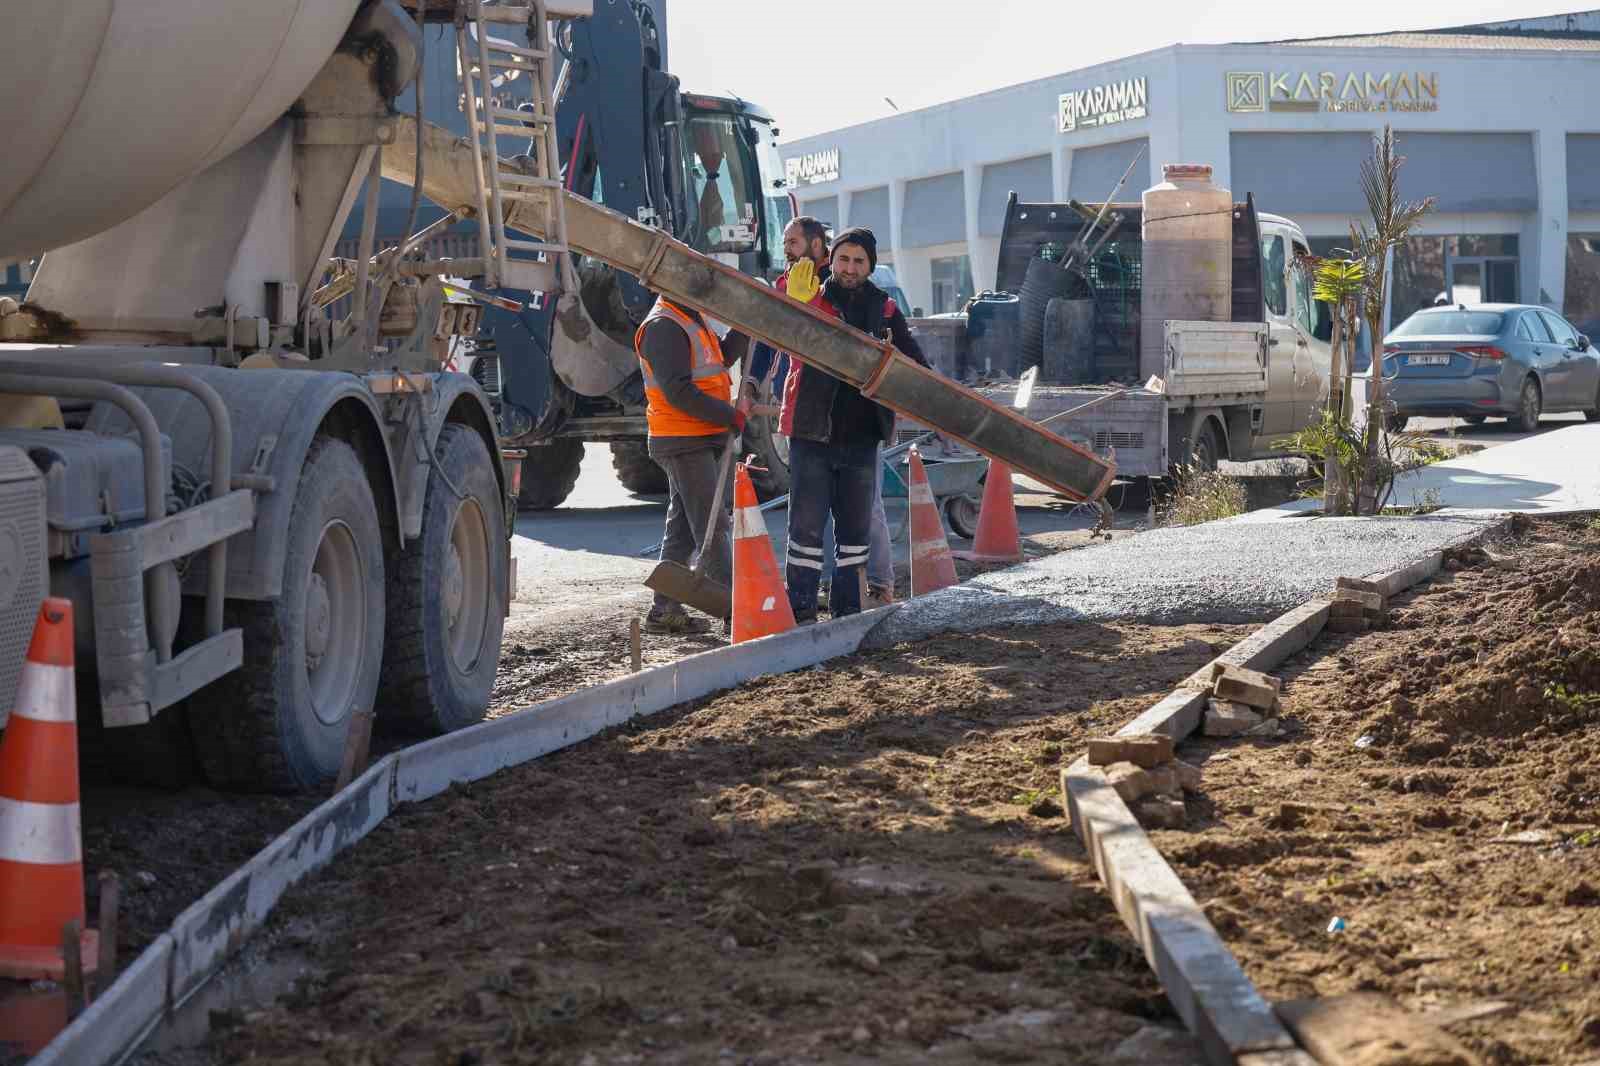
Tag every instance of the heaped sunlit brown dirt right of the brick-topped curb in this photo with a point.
(1439, 791)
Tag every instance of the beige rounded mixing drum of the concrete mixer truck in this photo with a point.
(111, 105)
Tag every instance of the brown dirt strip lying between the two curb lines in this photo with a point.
(860, 864)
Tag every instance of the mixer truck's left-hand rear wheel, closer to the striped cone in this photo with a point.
(313, 657)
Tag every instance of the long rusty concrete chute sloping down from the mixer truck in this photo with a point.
(686, 276)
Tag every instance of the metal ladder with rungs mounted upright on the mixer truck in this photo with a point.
(481, 60)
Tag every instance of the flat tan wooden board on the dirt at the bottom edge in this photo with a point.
(1370, 1030)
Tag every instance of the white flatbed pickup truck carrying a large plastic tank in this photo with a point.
(1228, 390)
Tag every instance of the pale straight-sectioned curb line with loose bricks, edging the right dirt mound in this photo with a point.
(1202, 980)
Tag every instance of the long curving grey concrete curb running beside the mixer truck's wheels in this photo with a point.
(204, 937)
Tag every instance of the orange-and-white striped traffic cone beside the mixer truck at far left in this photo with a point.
(41, 843)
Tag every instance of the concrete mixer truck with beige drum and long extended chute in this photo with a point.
(270, 516)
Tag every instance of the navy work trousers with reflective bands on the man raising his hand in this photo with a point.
(830, 479)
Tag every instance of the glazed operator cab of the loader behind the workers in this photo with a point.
(738, 202)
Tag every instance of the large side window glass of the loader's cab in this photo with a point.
(719, 164)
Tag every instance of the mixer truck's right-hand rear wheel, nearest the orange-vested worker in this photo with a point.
(447, 595)
